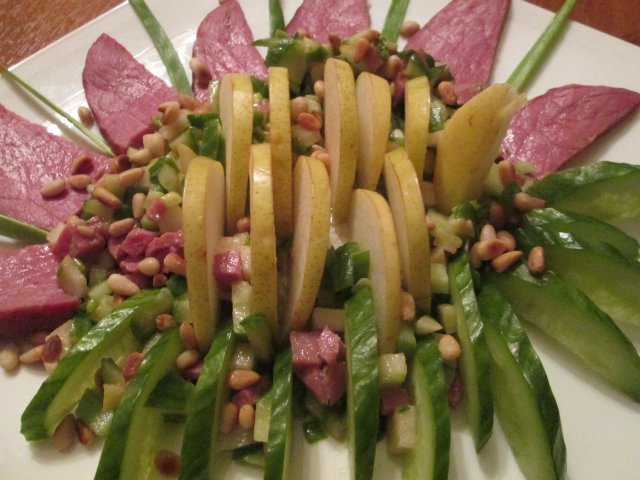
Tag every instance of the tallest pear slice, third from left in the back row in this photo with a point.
(341, 133)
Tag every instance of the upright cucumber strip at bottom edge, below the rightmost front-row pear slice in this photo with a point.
(430, 457)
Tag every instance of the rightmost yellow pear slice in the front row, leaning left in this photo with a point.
(405, 200)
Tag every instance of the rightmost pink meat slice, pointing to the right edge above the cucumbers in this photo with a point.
(555, 126)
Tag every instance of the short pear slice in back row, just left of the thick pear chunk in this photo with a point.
(417, 108)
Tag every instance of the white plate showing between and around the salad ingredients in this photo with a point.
(601, 427)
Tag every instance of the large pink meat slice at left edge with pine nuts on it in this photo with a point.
(30, 158)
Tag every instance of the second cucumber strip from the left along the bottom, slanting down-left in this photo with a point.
(129, 447)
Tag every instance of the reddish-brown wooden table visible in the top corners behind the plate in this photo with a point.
(26, 26)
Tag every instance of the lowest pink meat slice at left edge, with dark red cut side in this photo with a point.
(31, 298)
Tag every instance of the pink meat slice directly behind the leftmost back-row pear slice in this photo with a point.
(224, 44)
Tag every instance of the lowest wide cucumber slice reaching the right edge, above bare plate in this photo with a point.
(569, 317)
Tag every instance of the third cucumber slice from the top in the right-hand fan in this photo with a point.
(611, 281)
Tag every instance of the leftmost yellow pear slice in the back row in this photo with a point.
(236, 116)
